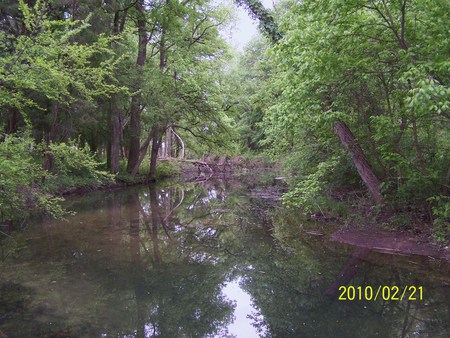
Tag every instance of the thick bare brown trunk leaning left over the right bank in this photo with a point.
(360, 161)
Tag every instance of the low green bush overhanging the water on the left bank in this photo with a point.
(26, 186)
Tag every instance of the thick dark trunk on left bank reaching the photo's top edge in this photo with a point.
(135, 110)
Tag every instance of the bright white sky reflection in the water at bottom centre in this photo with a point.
(241, 326)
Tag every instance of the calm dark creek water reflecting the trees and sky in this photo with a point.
(204, 260)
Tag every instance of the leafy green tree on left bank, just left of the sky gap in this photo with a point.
(182, 78)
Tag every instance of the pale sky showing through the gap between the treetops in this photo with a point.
(245, 28)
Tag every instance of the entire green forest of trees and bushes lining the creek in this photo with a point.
(351, 97)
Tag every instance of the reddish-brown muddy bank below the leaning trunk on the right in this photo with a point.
(379, 229)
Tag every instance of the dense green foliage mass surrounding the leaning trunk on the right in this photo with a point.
(383, 70)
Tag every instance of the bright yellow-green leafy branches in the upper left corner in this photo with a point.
(48, 62)
